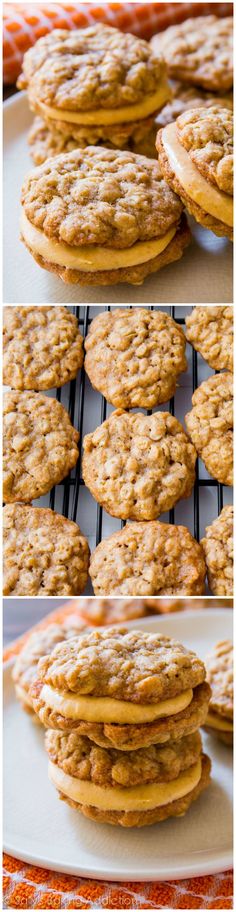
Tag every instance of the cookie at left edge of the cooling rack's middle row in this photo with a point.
(39, 445)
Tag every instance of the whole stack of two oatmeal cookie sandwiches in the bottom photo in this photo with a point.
(123, 711)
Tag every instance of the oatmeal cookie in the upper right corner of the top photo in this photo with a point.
(199, 51)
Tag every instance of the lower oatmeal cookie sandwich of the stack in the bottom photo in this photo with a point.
(132, 788)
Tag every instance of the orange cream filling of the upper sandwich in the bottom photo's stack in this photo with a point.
(105, 709)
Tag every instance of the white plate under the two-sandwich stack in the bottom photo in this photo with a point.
(44, 831)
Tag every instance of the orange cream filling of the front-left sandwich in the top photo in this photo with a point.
(94, 258)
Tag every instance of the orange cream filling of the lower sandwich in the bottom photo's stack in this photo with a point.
(137, 798)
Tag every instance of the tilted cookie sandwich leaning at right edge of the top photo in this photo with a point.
(196, 159)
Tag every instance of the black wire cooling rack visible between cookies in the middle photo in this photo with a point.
(74, 397)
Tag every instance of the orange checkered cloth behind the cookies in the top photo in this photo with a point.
(24, 23)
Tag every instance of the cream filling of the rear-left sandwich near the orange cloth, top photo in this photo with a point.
(105, 116)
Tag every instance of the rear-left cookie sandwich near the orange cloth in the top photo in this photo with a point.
(95, 85)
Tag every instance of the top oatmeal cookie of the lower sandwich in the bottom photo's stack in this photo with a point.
(78, 757)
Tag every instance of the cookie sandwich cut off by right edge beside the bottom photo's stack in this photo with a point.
(219, 665)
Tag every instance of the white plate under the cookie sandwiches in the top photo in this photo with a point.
(203, 275)
